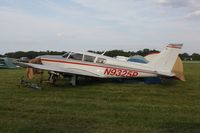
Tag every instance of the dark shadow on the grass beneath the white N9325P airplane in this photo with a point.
(82, 82)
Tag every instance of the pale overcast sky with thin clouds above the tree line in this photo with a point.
(64, 25)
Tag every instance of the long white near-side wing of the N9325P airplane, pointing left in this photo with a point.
(57, 69)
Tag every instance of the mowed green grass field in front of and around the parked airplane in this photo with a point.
(101, 107)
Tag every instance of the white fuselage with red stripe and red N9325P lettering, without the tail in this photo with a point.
(108, 68)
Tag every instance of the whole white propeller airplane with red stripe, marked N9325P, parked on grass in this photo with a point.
(89, 64)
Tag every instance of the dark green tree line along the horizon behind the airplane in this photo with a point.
(111, 53)
